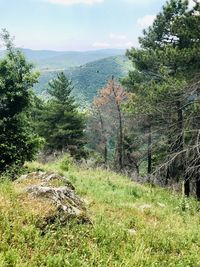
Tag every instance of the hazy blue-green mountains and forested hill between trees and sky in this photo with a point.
(89, 71)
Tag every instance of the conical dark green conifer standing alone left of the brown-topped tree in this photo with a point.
(61, 124)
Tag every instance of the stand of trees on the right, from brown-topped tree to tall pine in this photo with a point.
(160, 102)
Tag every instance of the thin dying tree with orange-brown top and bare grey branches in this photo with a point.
(108, 106)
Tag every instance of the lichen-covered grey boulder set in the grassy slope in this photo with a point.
(56, 191)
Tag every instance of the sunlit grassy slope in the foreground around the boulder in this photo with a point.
(133, 225)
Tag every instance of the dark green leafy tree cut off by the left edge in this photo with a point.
(18, 143)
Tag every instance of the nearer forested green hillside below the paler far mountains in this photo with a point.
(88, 79)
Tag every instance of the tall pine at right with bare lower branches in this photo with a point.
(167, 61)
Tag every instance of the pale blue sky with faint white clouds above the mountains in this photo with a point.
(77, 25)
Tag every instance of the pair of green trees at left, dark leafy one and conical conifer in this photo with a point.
(27, 123)
